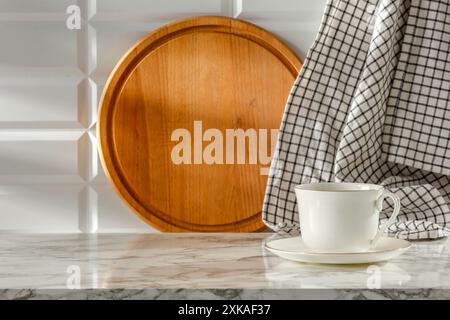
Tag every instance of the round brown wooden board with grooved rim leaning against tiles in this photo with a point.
(183, 79)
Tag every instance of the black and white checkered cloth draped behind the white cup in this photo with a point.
(371, 104)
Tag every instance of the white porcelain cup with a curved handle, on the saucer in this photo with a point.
(342, 217)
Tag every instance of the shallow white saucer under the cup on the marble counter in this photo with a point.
(294, 249)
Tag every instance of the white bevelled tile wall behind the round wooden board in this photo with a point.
(51, 79)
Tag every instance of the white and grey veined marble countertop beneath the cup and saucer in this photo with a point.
(199, 261)
